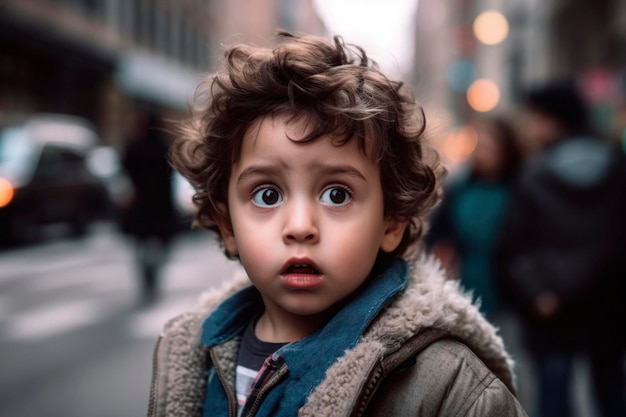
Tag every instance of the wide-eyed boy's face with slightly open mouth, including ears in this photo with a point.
(307, 219)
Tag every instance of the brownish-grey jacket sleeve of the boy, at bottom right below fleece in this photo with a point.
(447, 379)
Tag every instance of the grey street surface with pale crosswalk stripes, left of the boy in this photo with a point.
(74, 338)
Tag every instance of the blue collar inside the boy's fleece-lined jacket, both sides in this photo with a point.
(309, 358)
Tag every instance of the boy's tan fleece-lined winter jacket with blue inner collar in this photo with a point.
(465, 374)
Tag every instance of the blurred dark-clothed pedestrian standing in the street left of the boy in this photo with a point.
(151, 218)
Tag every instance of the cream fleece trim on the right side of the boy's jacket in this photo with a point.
(430, 300)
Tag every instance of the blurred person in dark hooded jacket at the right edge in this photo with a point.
(562, 255)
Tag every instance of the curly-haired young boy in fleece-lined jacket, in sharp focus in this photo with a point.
(310, 166)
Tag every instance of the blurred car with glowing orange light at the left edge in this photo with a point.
(45, 177)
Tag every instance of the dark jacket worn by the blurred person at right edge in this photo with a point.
(566, 233)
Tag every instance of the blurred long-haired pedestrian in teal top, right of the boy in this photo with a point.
(465, 227)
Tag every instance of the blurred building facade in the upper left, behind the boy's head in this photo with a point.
(103, 59)
